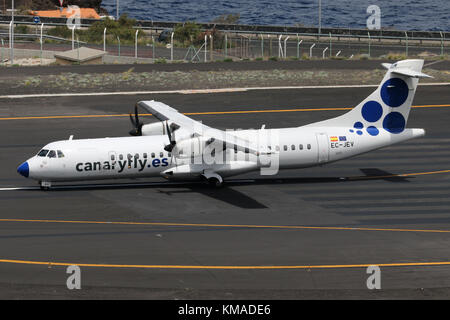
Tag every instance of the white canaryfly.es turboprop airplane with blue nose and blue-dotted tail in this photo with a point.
(178, 147)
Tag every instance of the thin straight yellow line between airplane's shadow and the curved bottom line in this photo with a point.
(200, 225)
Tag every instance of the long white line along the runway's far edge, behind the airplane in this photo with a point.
(195, 91)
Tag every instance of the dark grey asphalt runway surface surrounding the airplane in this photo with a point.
(304, 234)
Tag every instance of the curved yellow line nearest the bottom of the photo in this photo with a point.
(269, 267)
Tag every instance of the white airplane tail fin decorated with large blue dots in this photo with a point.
(387, 108)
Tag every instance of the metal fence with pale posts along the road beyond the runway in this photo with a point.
(229, 45)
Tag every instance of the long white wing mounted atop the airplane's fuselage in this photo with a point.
(164, 112)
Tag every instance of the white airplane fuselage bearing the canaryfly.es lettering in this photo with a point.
(144, 156)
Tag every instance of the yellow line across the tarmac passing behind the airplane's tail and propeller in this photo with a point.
(205, 113)
